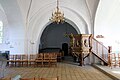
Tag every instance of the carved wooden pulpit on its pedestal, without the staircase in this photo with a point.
(80, 45)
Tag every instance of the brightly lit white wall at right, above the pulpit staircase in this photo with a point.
(107, 23)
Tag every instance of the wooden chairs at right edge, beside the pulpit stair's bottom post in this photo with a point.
(114, 59)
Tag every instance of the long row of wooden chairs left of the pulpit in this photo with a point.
(32, 59)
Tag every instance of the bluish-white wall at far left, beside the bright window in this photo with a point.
(13, 27)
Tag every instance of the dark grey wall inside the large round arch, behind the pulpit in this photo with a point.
(53, 35)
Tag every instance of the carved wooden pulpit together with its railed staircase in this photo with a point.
(93, 46)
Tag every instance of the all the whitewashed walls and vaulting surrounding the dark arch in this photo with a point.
(24, 23)
